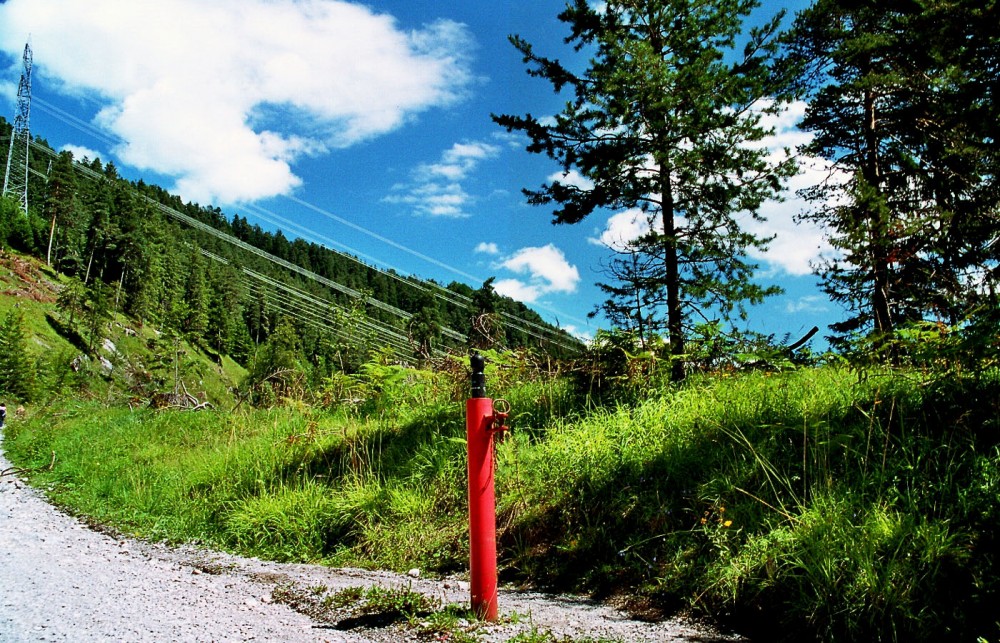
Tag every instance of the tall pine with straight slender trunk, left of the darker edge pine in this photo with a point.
(667, 119)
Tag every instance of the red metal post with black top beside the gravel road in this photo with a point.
(482, 498)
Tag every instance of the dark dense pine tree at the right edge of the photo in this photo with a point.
(913, 129)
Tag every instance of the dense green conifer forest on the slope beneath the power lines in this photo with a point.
(122, 245)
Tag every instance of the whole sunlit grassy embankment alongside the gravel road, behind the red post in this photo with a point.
(816, 501)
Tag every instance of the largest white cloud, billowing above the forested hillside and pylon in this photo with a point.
(225, 95)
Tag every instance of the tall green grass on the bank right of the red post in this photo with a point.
(841, 508)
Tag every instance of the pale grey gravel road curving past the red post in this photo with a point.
(60, 580)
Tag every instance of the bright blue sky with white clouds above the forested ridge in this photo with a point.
(364, 127)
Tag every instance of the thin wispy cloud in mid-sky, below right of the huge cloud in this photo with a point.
(436, 189)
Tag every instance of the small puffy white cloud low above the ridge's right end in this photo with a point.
(546, 269)
